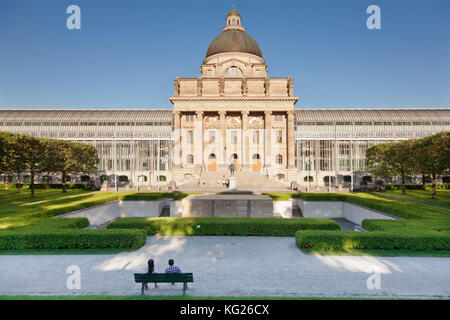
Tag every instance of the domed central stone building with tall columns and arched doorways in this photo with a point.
(234, 112)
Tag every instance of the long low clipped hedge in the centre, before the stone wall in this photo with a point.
(224, 226)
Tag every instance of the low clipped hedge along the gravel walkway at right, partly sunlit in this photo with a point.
(344, 240)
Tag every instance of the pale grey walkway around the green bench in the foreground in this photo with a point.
(229, 266)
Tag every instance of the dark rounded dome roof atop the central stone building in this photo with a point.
(234, 40)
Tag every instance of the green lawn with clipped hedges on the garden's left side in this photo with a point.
(26, 225)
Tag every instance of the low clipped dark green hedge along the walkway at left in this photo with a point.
(72, 239)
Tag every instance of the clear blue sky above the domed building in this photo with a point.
(128, 53)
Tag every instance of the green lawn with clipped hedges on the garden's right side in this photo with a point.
(426, 230)
